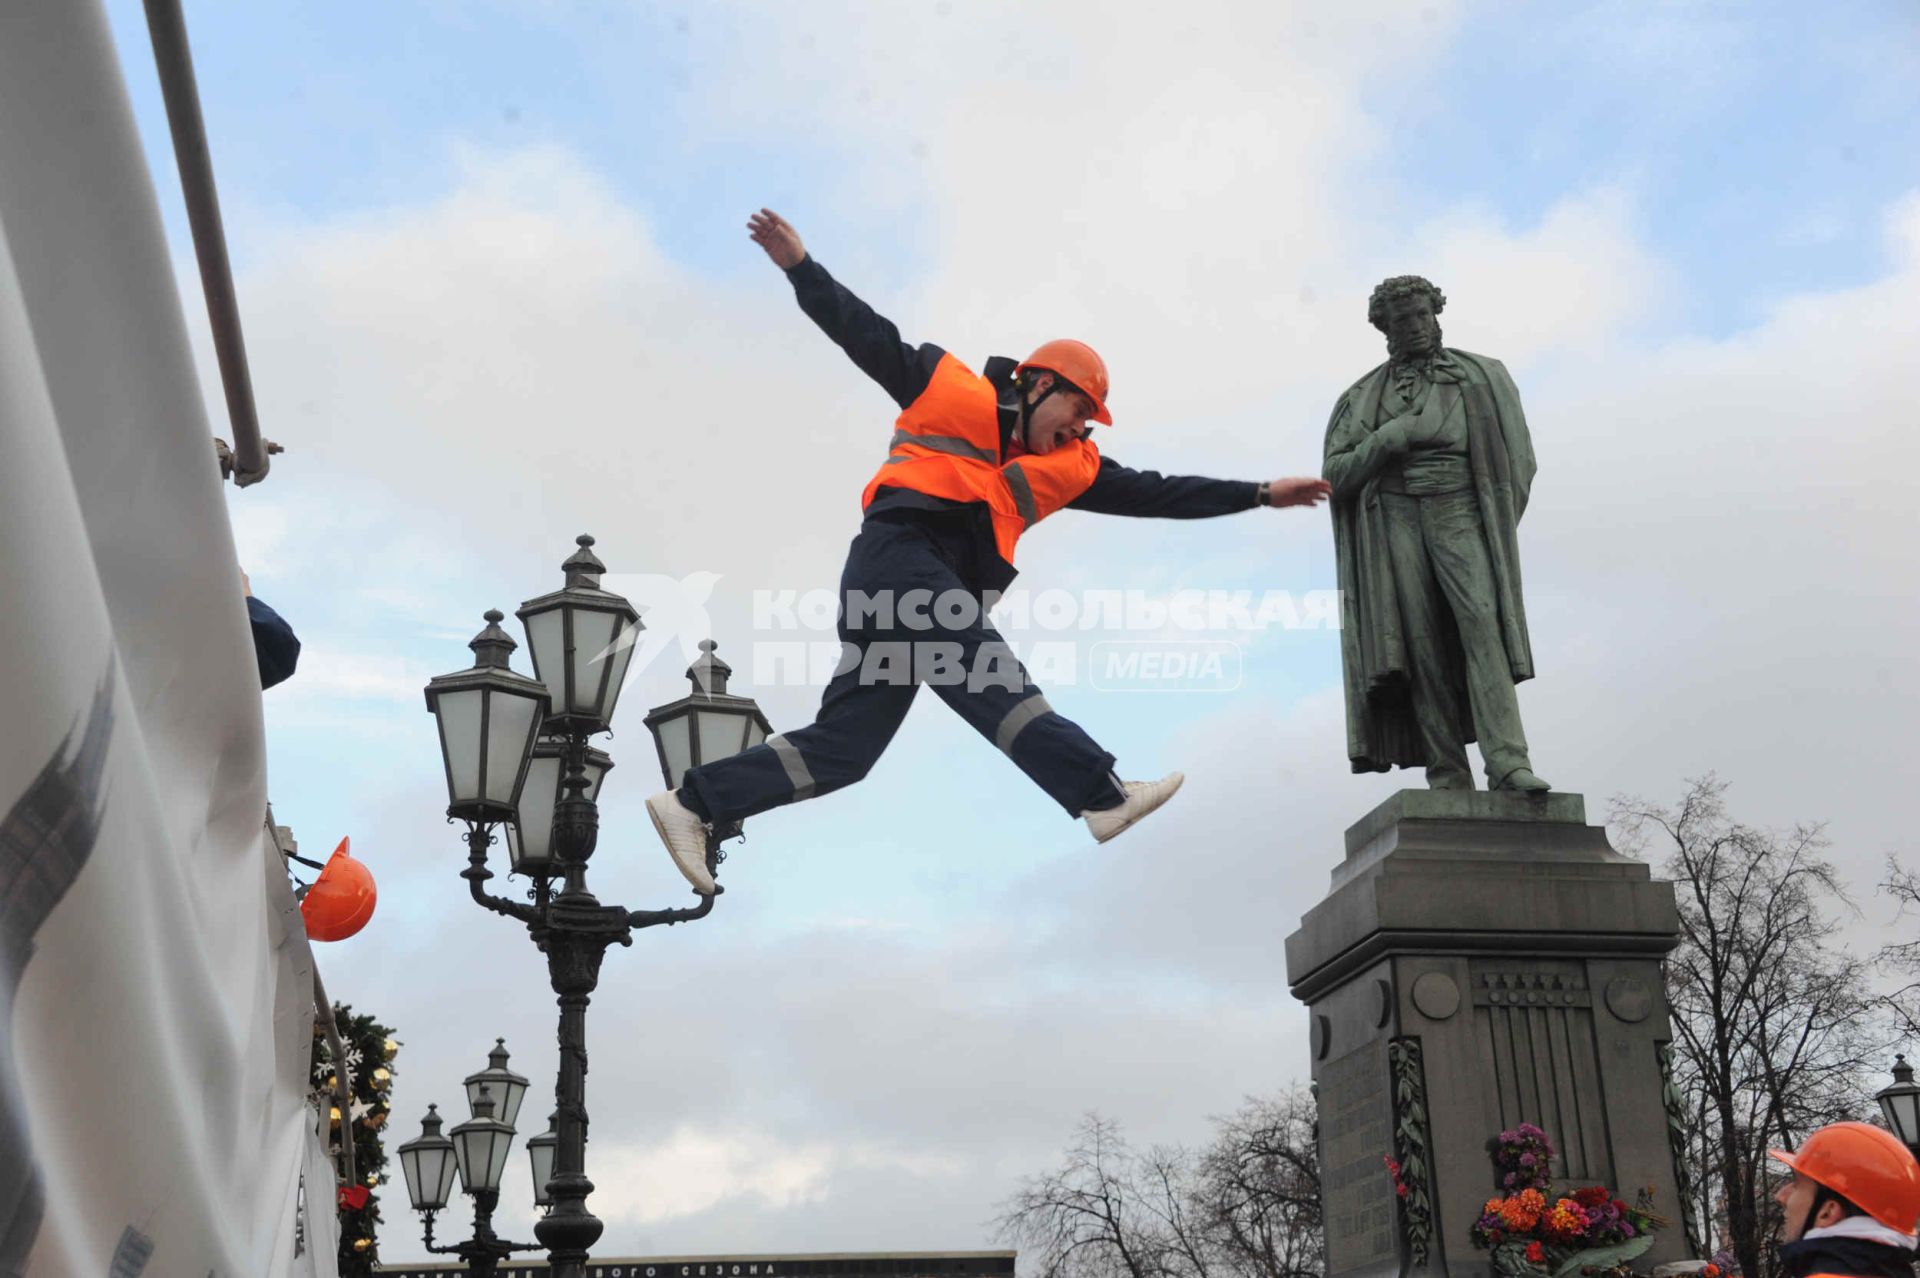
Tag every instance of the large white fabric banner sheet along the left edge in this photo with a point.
(156, 993)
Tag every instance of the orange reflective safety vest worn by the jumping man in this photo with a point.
(948, 444)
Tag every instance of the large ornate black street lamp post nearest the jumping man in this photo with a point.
(517, 755)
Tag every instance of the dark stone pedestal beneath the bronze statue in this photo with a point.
(1483, 960)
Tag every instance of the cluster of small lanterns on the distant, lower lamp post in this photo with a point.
(479, 1147)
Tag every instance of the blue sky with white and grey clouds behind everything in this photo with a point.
(498, 293)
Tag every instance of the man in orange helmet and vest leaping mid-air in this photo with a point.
(974, 461)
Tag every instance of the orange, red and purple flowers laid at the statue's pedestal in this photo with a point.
(1539, 1235)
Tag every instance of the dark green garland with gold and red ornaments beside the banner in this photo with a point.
(370, 1051)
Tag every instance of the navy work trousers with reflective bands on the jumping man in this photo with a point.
(903, 625)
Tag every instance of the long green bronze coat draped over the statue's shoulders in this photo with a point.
(1374, 646)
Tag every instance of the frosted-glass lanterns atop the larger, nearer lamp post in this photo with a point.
(504, 736)
